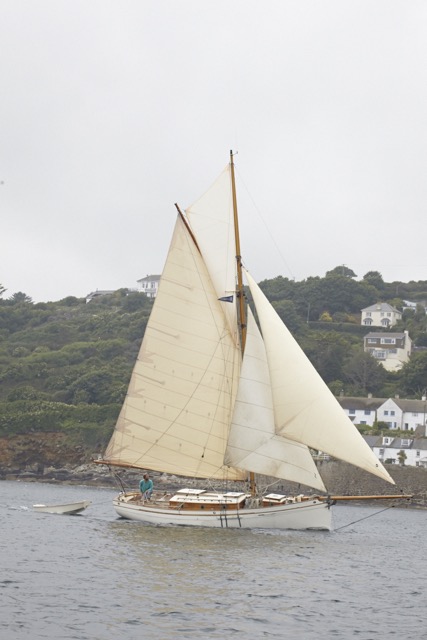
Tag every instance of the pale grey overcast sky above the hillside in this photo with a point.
(112, 111)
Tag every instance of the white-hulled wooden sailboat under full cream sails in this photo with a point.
(220, 397)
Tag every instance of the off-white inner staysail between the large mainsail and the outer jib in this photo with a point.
(253, 443)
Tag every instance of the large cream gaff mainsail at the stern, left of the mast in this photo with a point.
(176, 416)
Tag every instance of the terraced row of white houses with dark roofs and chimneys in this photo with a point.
(408, 415)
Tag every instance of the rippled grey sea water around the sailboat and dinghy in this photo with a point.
(95, 576)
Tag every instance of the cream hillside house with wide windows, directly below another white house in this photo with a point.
(392, 350)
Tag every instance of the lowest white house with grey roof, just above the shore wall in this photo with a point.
(410, 451)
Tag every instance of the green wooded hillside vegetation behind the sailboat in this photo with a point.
(65, 366)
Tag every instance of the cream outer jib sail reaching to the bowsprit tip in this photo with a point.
(305, 409)
